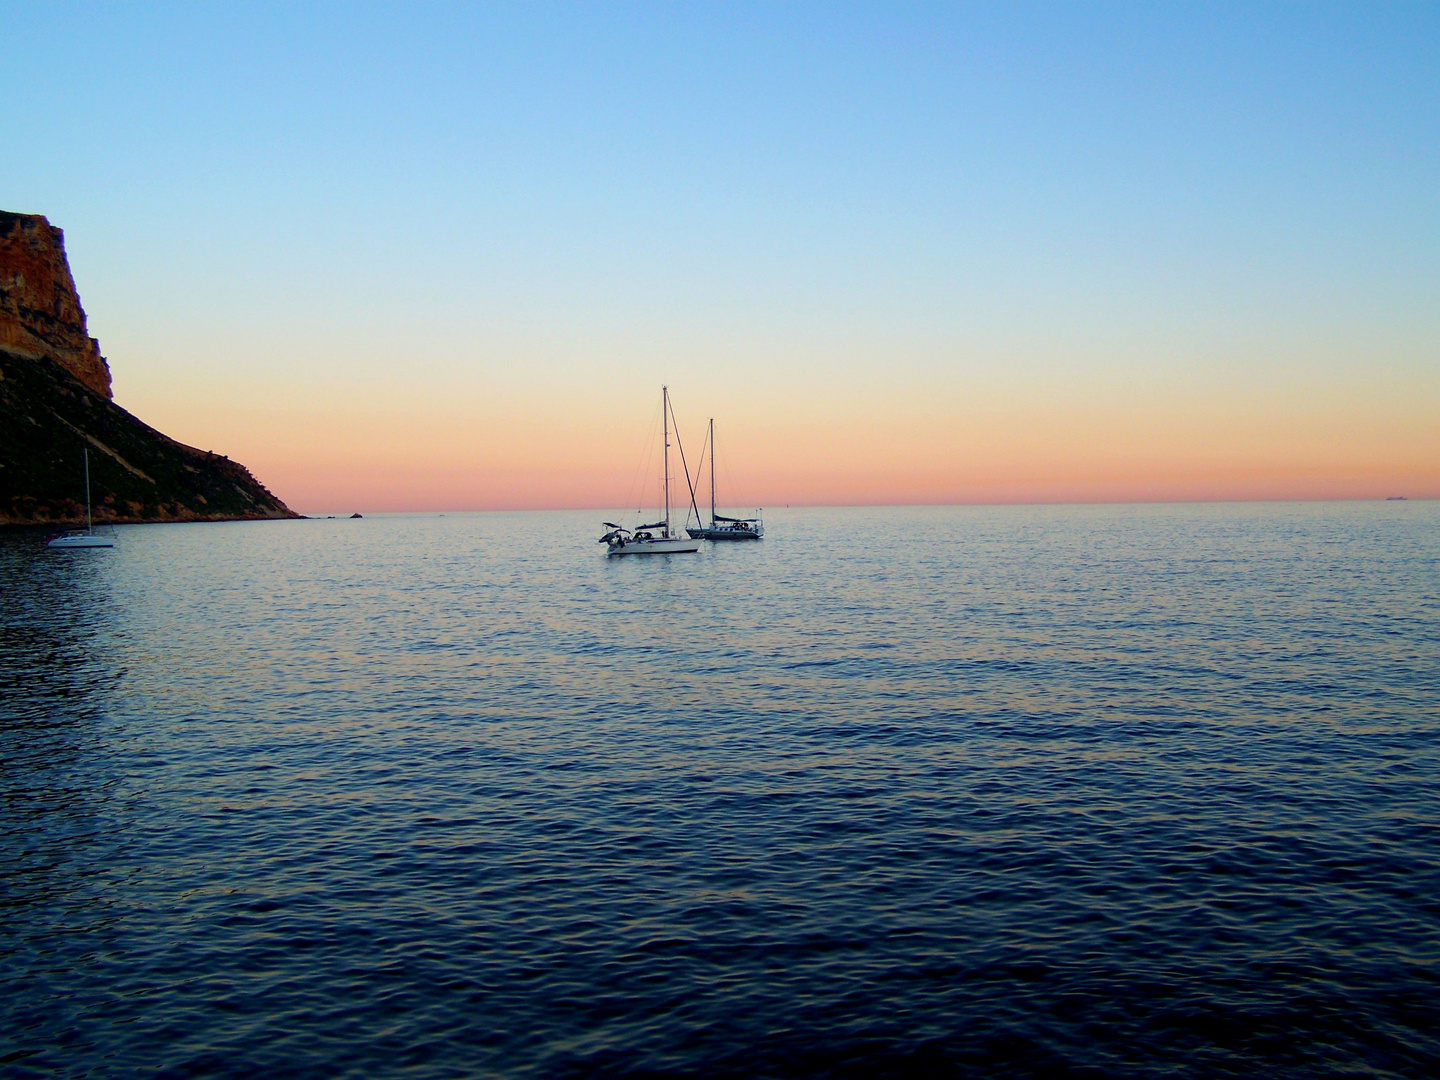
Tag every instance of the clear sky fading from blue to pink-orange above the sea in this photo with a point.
(444, 257)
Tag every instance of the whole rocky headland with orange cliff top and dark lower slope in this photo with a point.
(55, 402)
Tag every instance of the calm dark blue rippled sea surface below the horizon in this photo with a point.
(1032, 791)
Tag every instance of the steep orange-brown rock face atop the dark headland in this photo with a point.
(41, 313)
